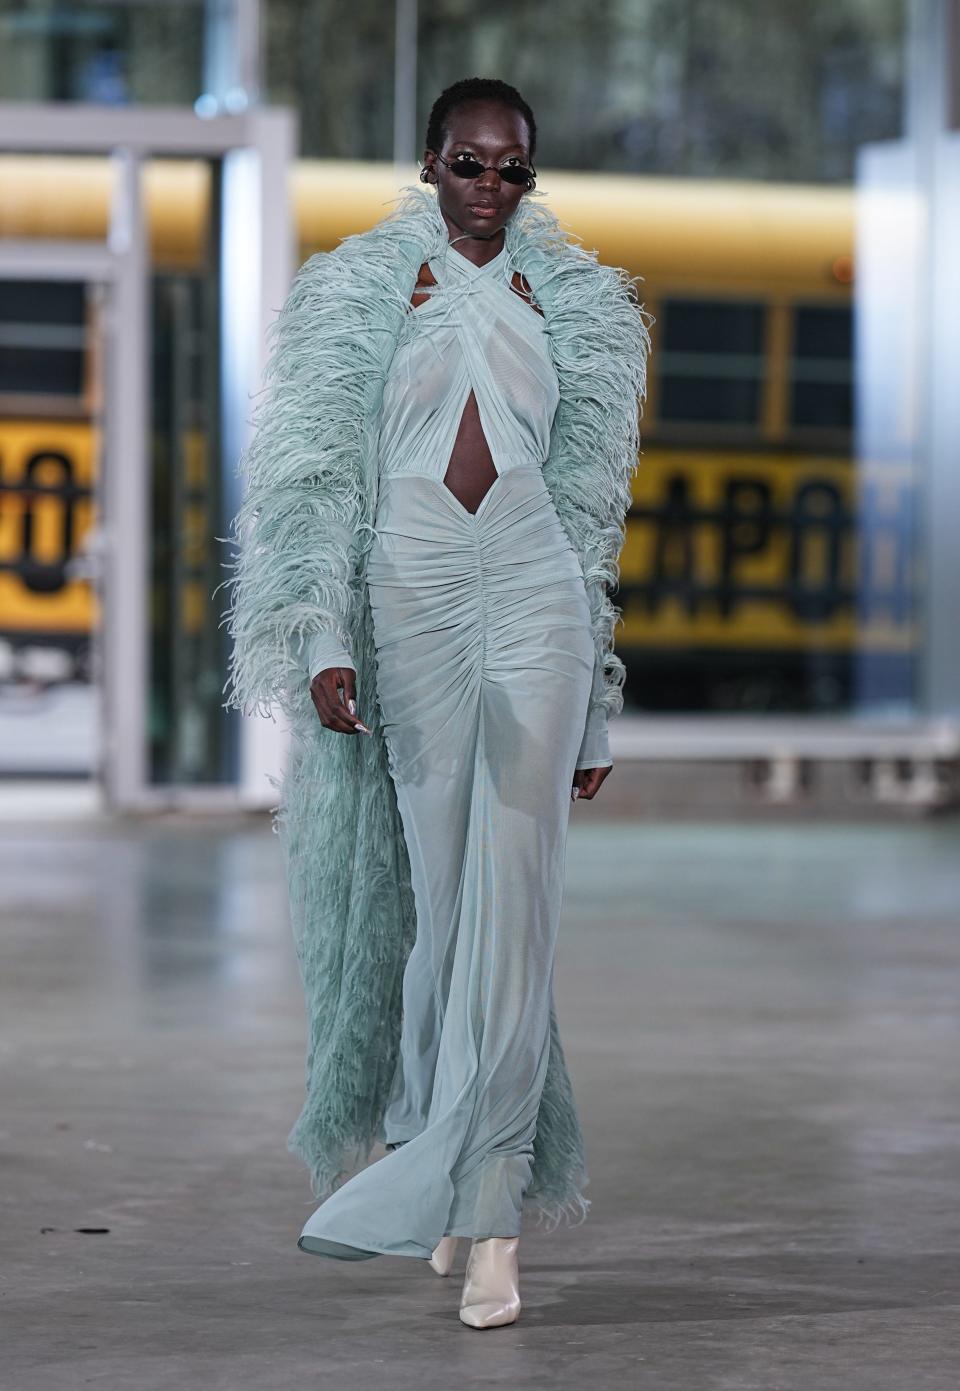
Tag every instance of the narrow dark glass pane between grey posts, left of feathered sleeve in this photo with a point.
(191, 735)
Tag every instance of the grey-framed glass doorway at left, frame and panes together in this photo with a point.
(126, 394)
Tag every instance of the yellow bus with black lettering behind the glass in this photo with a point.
(748, 584)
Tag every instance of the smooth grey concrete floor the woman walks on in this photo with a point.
(763, 1024)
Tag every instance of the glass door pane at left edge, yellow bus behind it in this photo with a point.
(51, 446)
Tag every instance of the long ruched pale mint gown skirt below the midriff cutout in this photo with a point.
(485, 663)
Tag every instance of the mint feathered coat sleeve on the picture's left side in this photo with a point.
(294, 584)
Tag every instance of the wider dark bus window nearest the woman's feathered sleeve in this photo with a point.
(712, 362)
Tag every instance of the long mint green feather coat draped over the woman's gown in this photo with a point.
(303, 538)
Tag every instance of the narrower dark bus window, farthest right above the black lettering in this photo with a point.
(822, 390)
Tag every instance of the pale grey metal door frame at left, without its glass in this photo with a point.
(258, 148)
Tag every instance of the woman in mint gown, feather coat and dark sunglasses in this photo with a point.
(431, 535)
